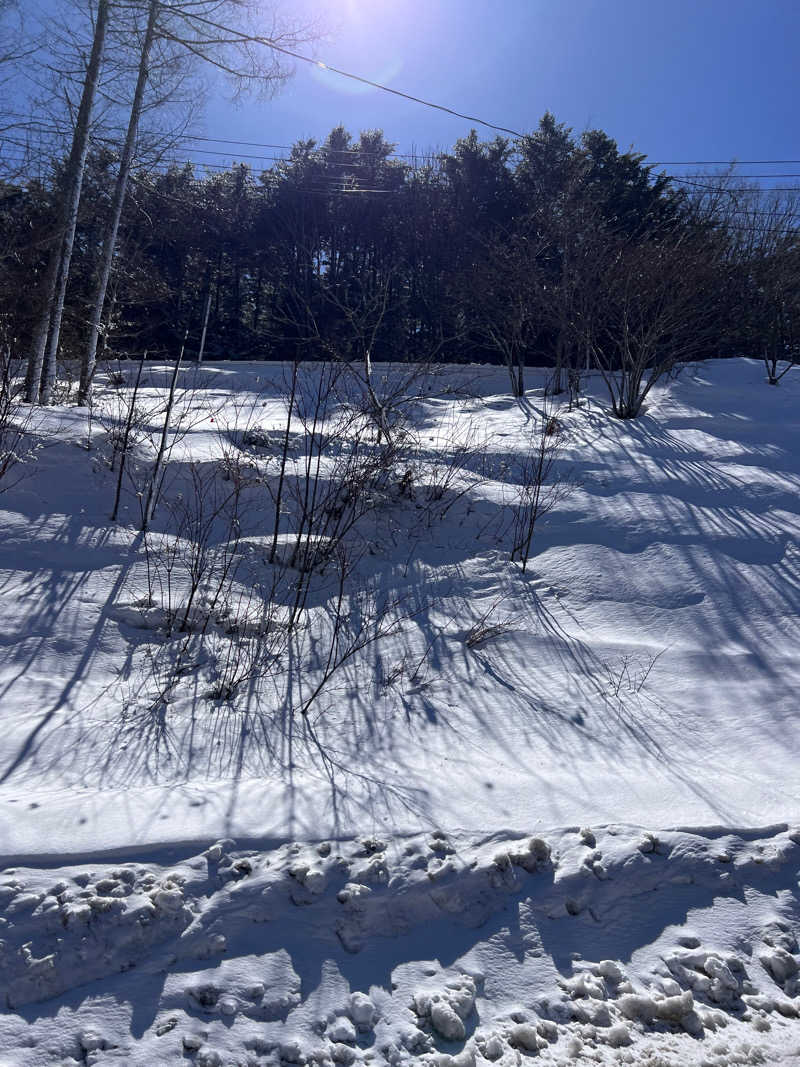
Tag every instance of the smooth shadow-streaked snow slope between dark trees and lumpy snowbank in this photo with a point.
(645, 664)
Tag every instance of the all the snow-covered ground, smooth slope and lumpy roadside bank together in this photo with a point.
(424, 893)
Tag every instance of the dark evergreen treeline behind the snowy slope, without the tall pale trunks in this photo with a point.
(553, 249)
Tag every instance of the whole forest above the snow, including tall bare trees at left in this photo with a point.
(553, 249)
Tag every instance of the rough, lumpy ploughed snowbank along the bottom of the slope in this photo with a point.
(611, 947)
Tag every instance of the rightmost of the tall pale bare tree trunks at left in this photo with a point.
(121, 188)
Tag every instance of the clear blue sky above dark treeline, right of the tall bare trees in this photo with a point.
(680, 81)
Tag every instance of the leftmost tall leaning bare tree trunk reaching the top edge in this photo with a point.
(58, 269)
